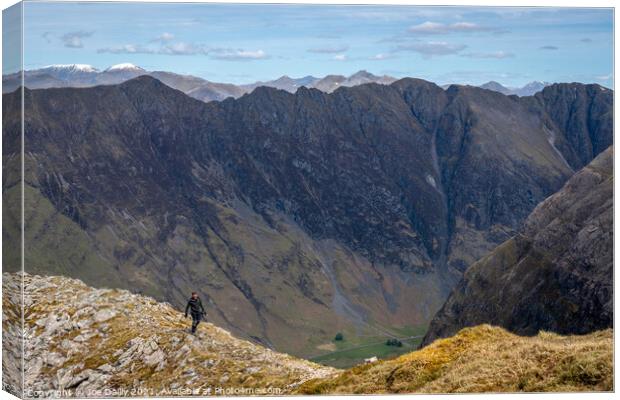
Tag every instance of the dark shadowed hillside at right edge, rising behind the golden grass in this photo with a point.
(555, 275)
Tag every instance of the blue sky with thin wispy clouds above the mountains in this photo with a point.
(247, 43)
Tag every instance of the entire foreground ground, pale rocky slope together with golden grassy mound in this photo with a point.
(85, 342)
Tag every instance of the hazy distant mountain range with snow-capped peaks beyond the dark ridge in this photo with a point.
(83, 75)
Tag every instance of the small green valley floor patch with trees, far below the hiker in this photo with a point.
(354, 349)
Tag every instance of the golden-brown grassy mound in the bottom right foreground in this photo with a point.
(486, 359)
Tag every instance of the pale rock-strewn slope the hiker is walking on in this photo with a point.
(85, 342)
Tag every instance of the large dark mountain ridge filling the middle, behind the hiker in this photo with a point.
(298, 215)
